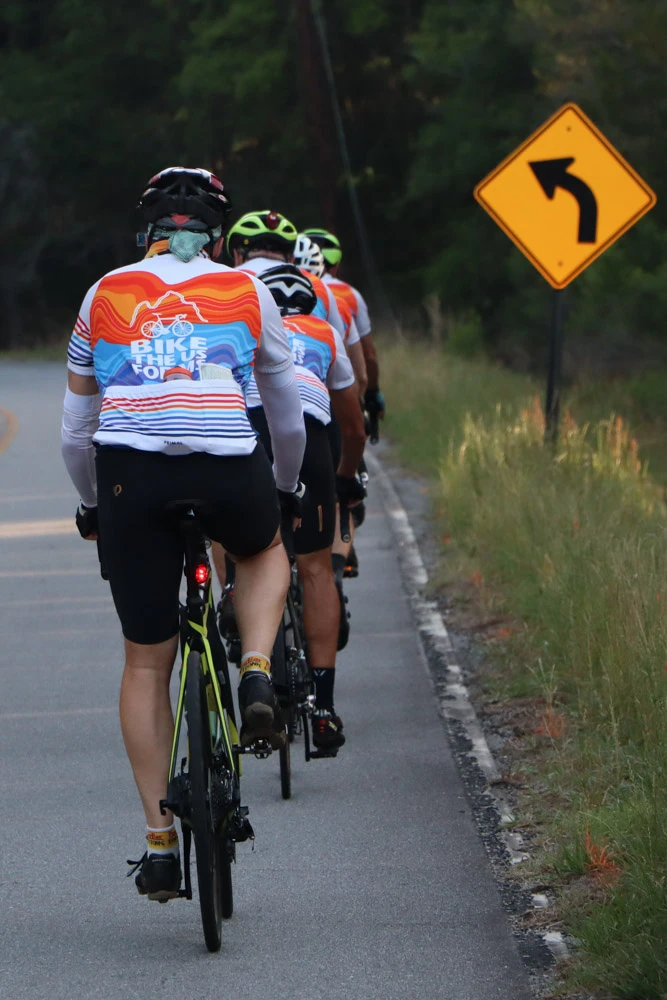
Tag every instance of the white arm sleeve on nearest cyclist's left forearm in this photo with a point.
(80, 421)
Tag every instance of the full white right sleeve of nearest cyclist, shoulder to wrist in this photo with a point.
(279, 392)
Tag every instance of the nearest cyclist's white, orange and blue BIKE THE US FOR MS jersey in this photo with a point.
(209, 322)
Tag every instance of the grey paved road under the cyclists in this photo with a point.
(371, 883)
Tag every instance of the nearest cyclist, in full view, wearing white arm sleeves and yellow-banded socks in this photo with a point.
(158, 361)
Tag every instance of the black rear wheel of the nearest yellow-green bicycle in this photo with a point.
(213, 862)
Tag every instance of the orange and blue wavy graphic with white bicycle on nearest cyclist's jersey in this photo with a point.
(140, 328)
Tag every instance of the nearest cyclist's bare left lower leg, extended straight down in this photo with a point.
(147, 721)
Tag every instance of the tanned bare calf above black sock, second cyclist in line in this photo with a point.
(321, 607)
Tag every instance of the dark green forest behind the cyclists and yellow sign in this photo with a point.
(95, 97)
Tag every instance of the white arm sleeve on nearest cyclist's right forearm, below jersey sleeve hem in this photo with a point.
(282, 405)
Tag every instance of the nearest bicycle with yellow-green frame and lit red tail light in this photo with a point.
(204, 788)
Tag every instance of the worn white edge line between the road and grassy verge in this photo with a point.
(453, 696)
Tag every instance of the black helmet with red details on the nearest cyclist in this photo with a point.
(185, 198)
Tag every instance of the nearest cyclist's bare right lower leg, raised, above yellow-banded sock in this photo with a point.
(259, 596)
